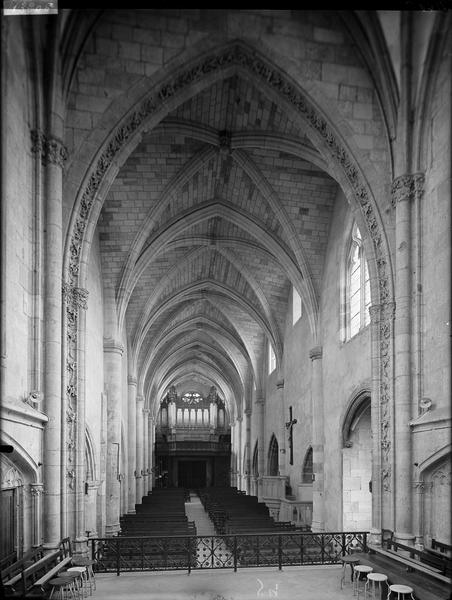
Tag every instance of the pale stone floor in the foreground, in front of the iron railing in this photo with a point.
(292, 583)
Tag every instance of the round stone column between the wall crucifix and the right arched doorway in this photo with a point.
(318, 436)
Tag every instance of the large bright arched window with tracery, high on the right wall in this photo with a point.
(358, 286)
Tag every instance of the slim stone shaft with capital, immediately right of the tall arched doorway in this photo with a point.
(375, 531)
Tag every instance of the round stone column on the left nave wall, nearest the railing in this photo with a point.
(113, 351)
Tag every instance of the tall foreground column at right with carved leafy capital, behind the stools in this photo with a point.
(404, 190)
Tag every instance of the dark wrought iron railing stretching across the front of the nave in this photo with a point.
(122, 554)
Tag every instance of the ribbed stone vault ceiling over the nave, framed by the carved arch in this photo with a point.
(215, 214)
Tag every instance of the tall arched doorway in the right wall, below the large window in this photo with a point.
(357, 466)
